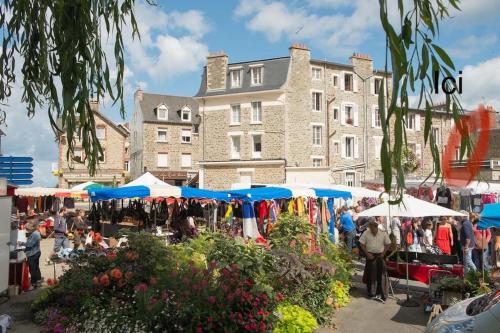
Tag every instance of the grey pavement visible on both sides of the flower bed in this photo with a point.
(361, 314)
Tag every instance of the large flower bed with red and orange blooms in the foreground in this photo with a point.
(210, 284)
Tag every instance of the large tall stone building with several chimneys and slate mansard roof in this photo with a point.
(298, 120)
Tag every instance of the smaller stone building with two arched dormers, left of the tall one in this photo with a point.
(164, 138)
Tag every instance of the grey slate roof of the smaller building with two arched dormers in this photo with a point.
(150, 102)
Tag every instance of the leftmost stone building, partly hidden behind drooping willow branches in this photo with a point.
(114, 165)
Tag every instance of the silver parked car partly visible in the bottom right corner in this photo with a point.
(474, 315)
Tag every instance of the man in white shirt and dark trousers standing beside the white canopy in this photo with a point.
(375, 243)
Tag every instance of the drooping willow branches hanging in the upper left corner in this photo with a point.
(64, 66)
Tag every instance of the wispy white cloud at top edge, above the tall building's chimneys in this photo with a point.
(342, 32)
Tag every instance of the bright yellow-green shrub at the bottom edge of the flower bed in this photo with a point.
(294, 319)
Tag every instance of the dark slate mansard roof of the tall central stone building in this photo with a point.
(274, 77)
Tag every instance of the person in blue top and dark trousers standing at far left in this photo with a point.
(32, 250)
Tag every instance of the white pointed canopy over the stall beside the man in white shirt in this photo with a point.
(410, 207)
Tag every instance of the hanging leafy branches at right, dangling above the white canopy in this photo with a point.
(413, 56)
